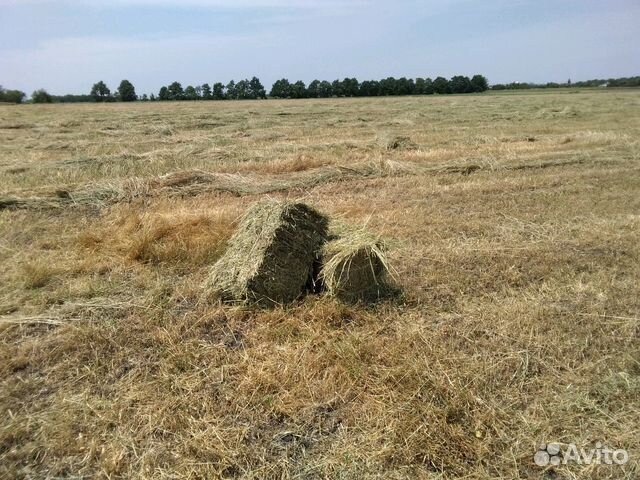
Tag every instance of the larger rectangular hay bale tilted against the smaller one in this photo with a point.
(270, 259)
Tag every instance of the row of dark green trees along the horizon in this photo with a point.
(283, 88)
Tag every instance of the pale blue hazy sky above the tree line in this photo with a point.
(65, 46)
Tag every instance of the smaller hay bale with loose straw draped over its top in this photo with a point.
(355, 268)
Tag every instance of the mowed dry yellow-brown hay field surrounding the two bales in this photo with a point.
(513, 225)
